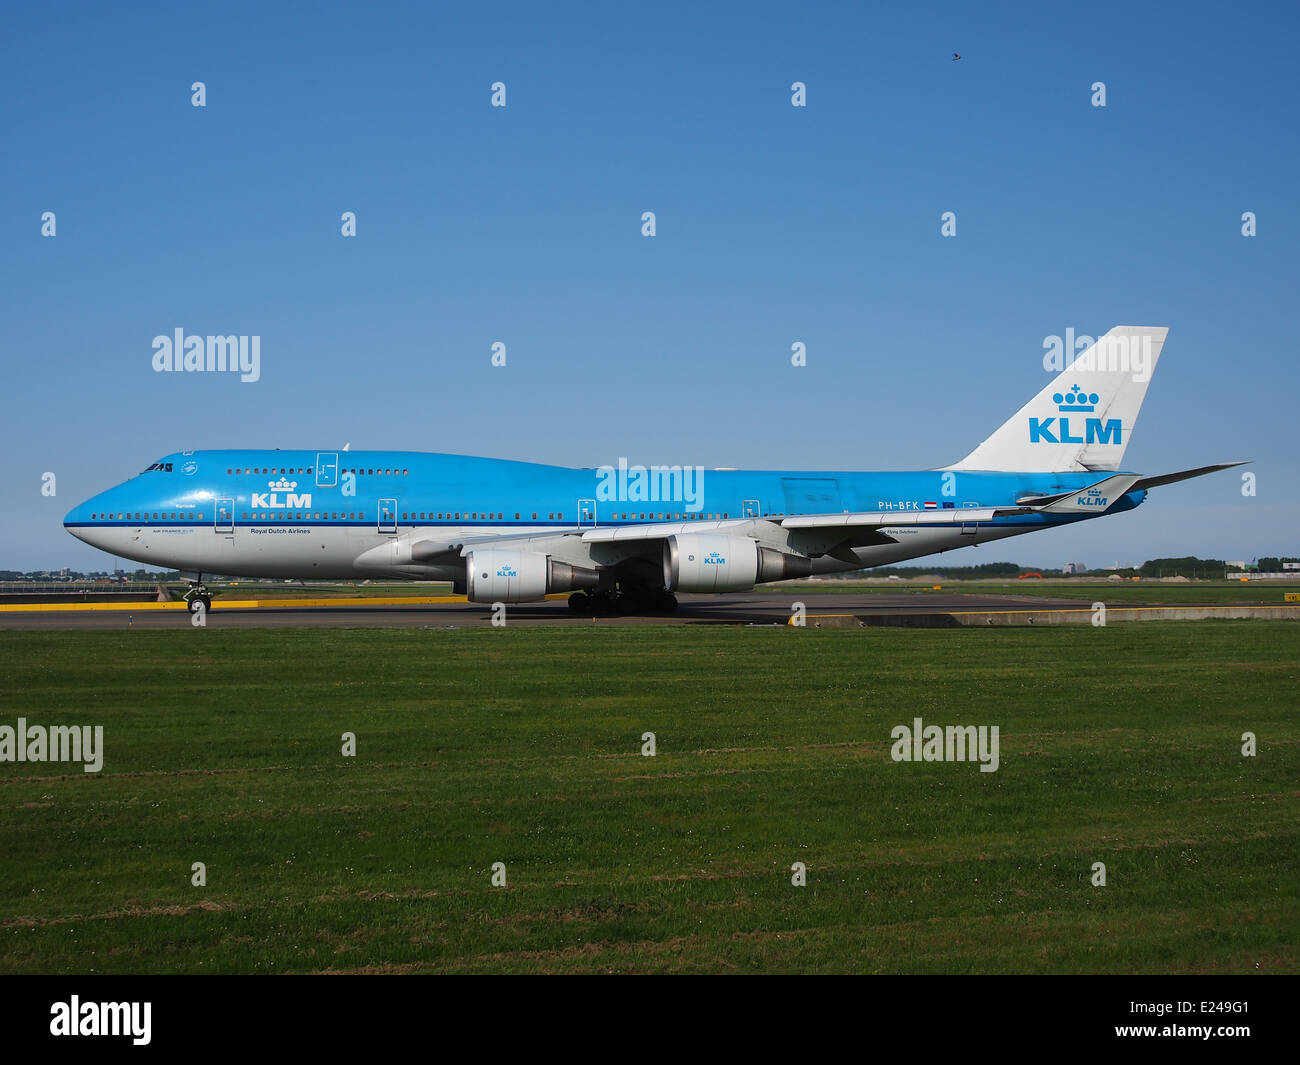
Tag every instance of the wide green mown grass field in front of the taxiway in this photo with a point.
(1119, 746)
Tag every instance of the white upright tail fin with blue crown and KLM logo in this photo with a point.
(1085, 419)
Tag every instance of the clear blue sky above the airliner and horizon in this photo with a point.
(775, 224)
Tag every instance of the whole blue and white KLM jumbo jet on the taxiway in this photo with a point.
(627, 539)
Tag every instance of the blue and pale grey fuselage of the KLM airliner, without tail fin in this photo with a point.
(335, 514)
